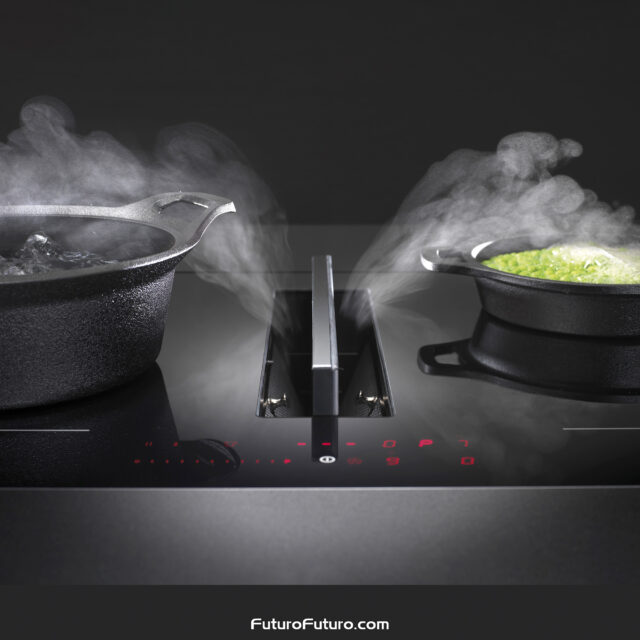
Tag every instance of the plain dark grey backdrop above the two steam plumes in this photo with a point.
(341, 106)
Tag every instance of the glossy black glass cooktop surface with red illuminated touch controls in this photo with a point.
(192, 421)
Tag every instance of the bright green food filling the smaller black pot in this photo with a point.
(573, 263)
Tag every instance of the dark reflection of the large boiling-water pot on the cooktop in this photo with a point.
(124, 437)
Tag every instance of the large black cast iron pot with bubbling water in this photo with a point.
(70, 333)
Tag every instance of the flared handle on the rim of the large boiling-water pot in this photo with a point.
(188, 229)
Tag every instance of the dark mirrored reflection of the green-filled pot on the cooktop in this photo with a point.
(596, 369)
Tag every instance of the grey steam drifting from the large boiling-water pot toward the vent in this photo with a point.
(46, 162)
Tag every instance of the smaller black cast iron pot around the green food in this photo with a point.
(603, 310)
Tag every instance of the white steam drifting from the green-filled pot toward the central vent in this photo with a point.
(471, 197)
